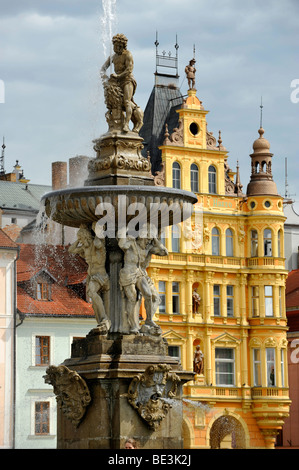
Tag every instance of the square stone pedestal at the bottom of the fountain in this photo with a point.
(113, 367)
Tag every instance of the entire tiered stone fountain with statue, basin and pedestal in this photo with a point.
(120, 381)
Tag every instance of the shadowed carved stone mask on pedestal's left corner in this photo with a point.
(71, 392)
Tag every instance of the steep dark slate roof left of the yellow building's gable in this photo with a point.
(160, 110)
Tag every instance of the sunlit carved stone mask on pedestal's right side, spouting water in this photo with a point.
(150, 393)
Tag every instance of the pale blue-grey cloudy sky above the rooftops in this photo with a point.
(51, 97)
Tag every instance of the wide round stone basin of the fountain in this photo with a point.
(119, 205)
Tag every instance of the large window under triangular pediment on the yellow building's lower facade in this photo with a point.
(225, 366)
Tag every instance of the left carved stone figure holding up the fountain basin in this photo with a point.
(93, 250)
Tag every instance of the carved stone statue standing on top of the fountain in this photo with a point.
(120, 88)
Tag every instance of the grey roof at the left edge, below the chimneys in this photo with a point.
(21, 196)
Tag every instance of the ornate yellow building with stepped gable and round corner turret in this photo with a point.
(222, 289)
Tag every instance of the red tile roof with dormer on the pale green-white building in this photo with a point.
(64, 268)
